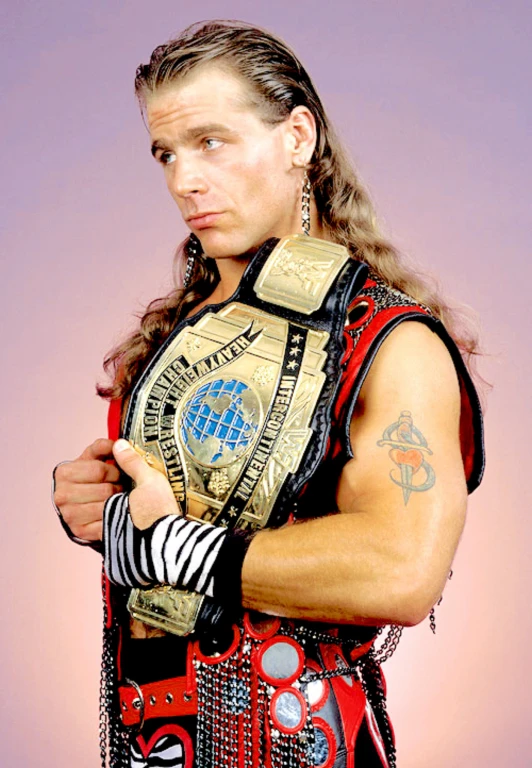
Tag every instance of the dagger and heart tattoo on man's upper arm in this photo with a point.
(408, 451)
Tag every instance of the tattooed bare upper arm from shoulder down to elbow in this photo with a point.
(407, 472)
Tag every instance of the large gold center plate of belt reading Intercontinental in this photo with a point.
(226, 411)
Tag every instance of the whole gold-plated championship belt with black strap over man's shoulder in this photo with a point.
(235, 407)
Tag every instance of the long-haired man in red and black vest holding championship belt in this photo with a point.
(289, 574)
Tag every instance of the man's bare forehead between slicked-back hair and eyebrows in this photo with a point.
(210, 91)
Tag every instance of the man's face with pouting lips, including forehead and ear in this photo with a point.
(220, 159)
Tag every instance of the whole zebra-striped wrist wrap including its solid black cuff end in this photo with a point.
(199, 557)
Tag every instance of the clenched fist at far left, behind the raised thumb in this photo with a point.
(82, 486)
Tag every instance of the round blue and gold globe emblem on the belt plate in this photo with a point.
(219, 422)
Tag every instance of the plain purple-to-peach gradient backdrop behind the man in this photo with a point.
(433, 99)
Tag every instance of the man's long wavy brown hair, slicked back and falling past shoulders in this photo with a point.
(275, 82)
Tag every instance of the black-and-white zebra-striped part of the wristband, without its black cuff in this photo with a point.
(174, 551)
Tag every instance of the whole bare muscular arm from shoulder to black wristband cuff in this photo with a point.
(385, 557)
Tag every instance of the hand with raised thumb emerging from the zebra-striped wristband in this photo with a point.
(152, 497)
